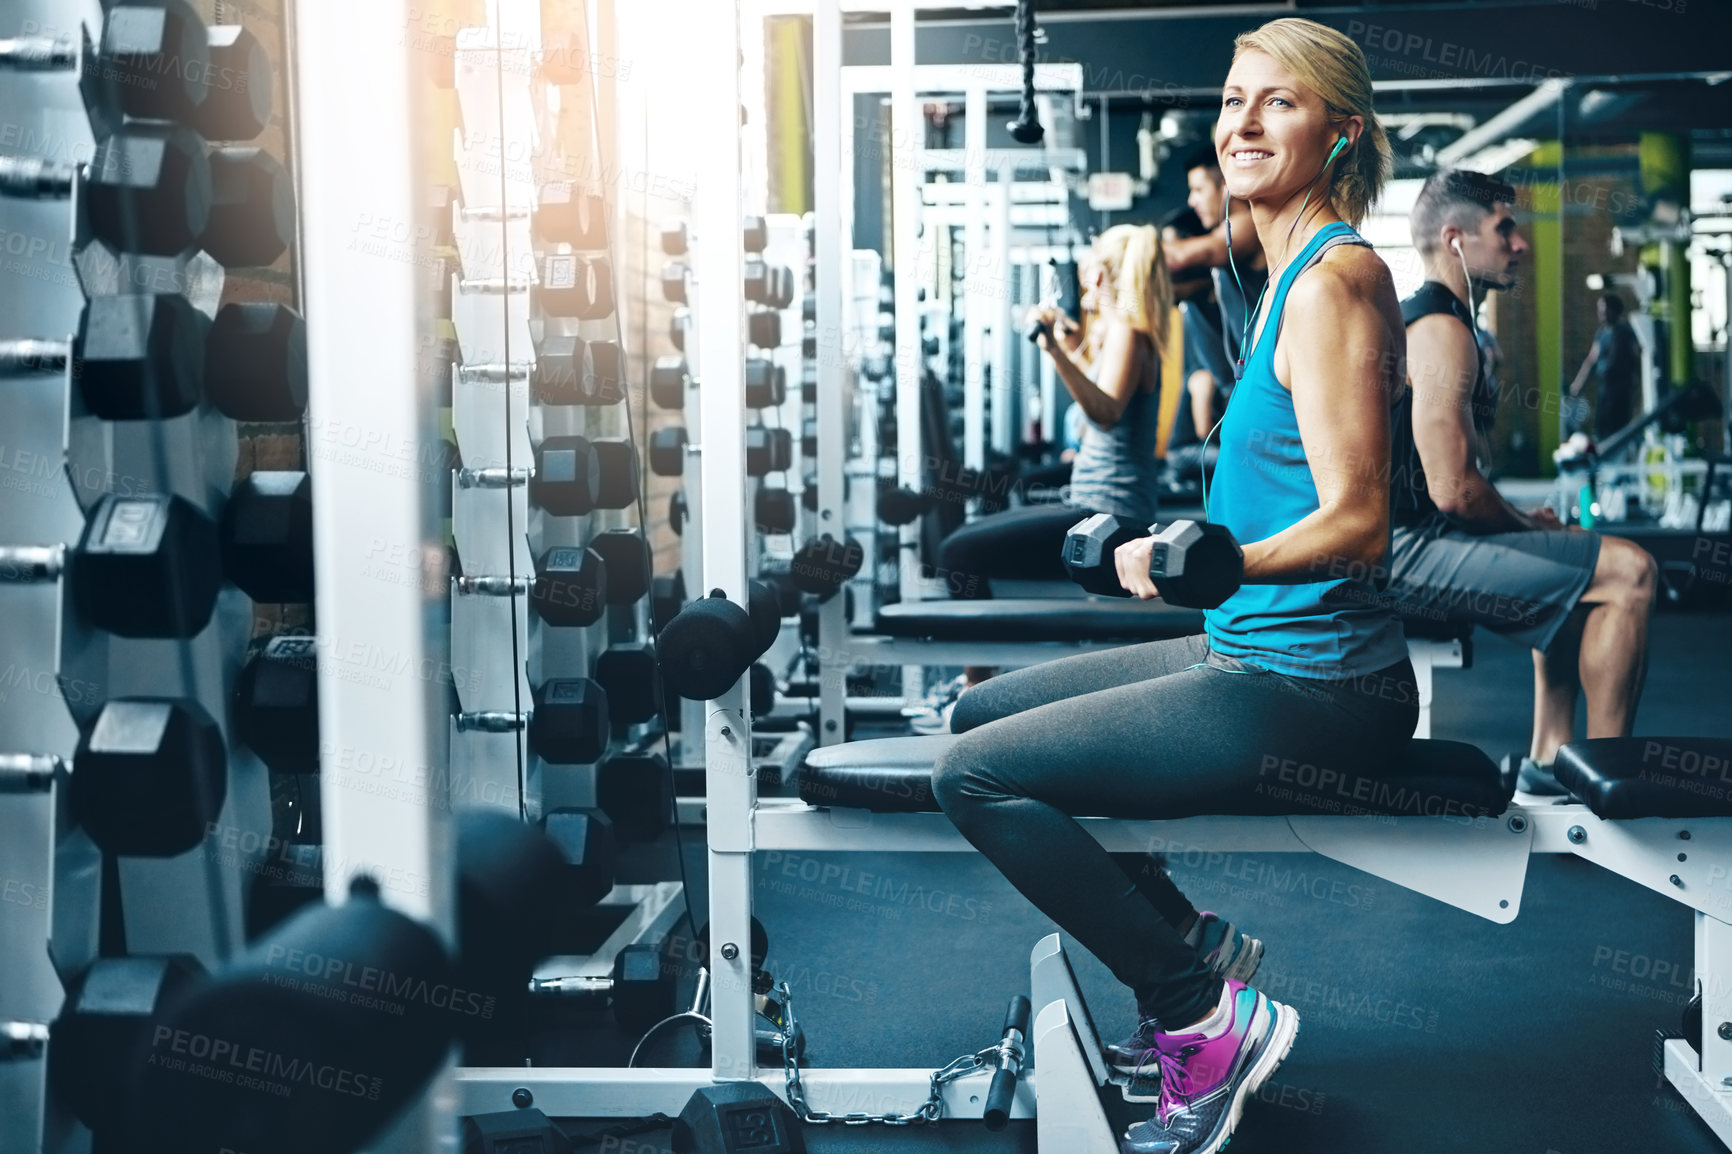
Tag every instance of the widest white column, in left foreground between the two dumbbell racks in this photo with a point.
(370, 316)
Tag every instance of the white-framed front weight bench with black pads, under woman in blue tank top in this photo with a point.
(1653, 810)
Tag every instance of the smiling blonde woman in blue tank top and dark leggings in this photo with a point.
(1303, 666)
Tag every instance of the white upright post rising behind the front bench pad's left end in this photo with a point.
(830, 250)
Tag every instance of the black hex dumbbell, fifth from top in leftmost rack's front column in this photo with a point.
(150, 777)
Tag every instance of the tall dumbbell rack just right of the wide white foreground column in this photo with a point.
(559, 711)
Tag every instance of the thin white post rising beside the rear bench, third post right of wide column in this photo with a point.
(905, 145)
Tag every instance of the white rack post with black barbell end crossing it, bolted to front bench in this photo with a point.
(721, 318)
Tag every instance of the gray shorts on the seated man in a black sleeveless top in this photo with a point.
(1518, 585)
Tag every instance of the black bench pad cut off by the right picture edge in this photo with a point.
(1650, 777)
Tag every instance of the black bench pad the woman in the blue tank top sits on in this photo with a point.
(1435, 779)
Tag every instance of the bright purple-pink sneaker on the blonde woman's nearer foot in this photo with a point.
(1205, 1080)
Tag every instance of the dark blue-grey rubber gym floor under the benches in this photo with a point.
(1425, 1028)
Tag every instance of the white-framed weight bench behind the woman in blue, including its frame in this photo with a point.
(1028, 632)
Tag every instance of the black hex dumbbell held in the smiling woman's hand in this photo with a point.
(1192, 564)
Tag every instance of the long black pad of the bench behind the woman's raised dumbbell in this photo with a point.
(1038, 619)
